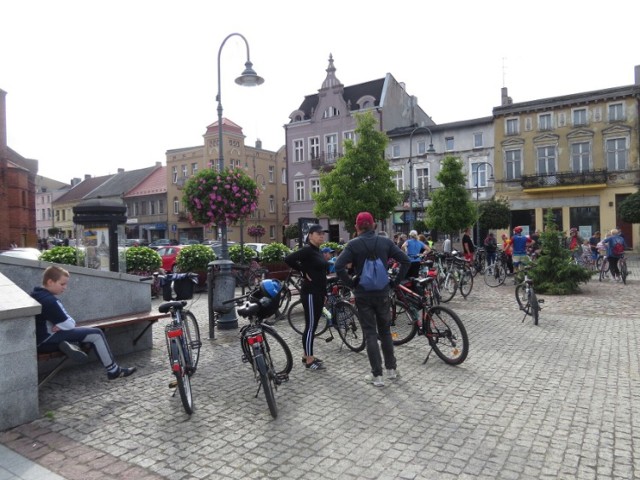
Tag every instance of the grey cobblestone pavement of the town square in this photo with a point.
(558, 400)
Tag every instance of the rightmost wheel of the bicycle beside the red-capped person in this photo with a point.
(446, 335)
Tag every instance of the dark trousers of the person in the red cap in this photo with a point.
(375, 318)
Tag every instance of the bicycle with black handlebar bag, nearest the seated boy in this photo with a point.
(182, 334)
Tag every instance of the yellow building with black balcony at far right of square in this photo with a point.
(576, 155)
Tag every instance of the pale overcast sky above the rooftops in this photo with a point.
(96, 86)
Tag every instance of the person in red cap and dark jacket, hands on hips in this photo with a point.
(374, 309)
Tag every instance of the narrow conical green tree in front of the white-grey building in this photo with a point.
(451, 209)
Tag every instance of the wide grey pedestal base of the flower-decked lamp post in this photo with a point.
(223, 289)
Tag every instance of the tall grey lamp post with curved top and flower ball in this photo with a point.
(225, 282)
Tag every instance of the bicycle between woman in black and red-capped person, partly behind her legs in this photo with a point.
(341, 315)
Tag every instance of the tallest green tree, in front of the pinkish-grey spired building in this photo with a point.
(361, 180)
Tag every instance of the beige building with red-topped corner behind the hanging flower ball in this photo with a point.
(266, 167)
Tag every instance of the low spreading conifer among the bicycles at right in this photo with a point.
(553, 272)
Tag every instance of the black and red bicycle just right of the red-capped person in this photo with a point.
(415, 311)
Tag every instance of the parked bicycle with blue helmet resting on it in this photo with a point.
(262, 347)
